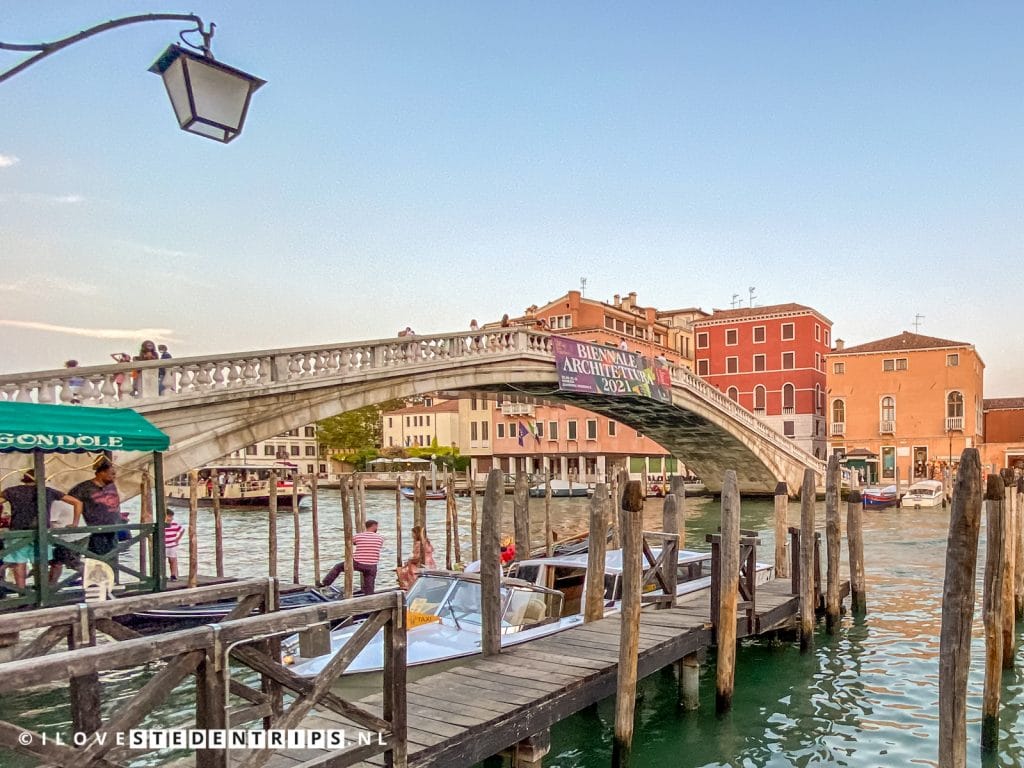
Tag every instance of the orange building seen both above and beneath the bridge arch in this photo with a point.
(572, 442)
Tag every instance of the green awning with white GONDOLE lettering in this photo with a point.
(66, 430)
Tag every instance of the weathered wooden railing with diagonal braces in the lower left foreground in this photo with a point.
(207, 653)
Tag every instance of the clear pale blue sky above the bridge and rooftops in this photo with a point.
(425, 164)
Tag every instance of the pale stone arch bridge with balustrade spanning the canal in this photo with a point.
(215, 405)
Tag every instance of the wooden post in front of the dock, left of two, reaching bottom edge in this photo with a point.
(629, 642)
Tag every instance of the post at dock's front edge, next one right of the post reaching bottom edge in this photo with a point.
(726, 629)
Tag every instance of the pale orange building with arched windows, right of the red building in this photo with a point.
(910, 402)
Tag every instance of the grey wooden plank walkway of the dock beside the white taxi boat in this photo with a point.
(461, 716)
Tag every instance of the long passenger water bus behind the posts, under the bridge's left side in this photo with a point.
(243, 485)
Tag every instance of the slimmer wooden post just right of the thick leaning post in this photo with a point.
(993, 603)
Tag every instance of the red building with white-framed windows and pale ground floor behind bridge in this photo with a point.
(772, 361)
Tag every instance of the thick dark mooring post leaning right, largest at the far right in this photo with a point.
(958, 611)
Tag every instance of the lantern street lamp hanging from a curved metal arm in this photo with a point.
(209, 99)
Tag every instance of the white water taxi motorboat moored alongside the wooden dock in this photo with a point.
(541, 598)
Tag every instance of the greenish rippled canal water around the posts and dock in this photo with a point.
(868, 697)
